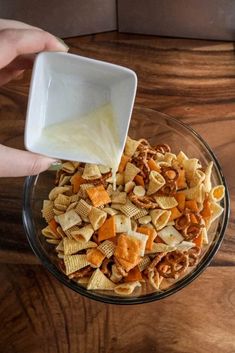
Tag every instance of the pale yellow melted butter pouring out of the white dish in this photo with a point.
(94, 134)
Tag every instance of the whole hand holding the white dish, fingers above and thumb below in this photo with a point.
(19, 43)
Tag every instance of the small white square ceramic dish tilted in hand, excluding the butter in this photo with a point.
(67, 86)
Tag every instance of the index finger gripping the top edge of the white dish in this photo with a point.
(15, 42)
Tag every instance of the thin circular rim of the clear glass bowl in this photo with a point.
(203, 264)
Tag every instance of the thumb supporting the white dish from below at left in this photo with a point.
(16, 163)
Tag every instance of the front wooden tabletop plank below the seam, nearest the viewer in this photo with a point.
(45, 316)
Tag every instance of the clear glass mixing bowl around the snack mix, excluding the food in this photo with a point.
(157, 128)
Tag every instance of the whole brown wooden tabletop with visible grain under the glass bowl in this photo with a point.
(194, 81)
